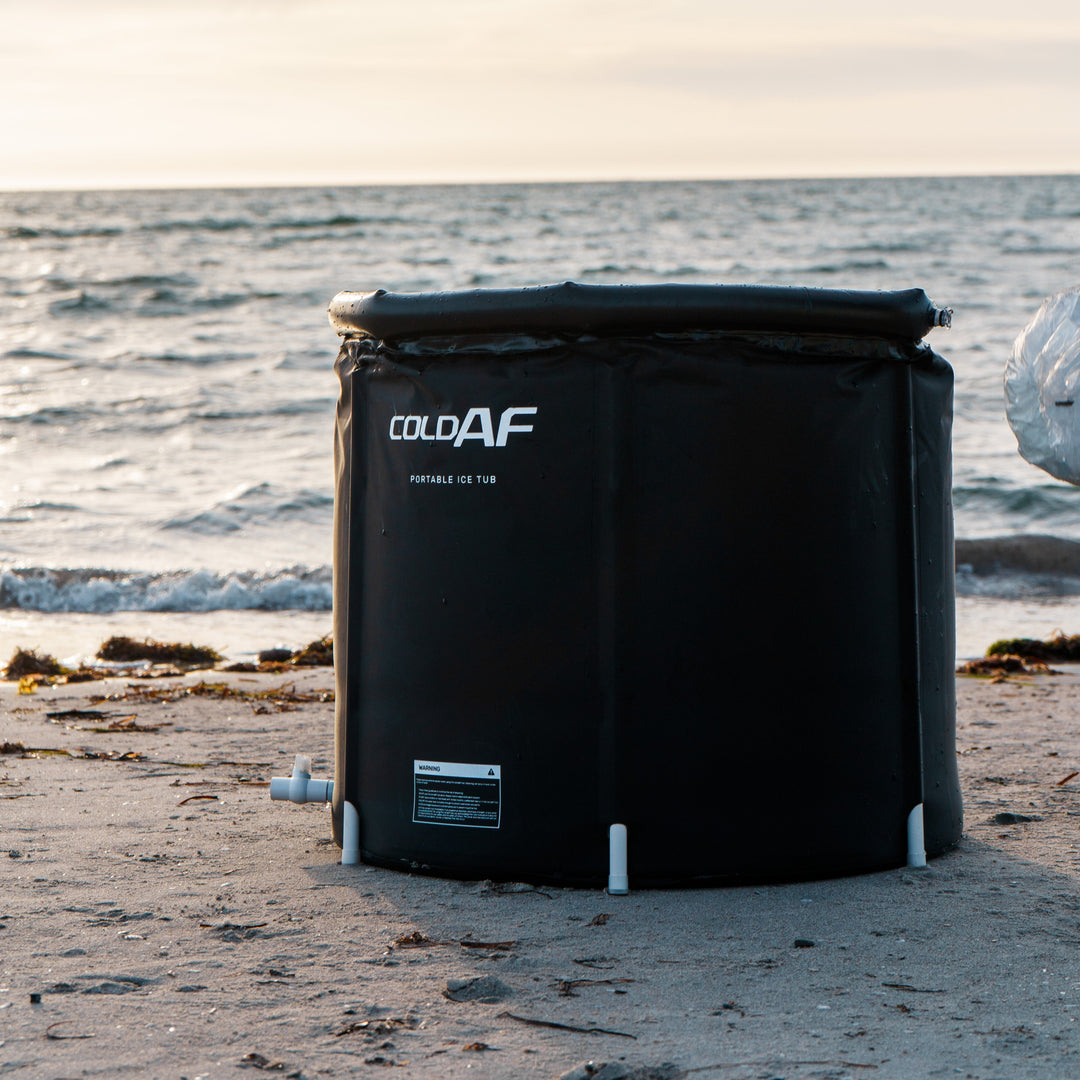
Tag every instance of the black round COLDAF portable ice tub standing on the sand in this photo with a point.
(672, 558)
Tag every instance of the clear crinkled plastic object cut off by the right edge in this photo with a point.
(1043, 388)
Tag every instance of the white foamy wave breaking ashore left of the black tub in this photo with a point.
(100, 592)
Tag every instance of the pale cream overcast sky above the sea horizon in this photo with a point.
(187, 92)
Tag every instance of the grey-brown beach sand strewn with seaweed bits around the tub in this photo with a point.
(178, 924)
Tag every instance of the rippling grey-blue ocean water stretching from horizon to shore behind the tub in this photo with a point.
(167, 393)
